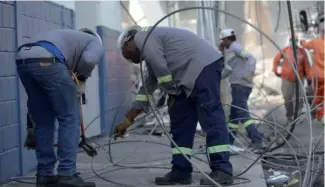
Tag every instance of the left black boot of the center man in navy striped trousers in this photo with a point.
(173, 178)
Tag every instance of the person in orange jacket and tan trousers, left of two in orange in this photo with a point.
(284, 70)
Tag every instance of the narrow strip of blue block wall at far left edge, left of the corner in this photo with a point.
(9, 101)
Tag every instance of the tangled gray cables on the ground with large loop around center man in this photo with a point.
(308, 173)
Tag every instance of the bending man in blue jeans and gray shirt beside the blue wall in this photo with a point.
(48, 65)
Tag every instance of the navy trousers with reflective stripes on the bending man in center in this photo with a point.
(202, 106)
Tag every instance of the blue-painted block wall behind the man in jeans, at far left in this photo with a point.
(18, 22)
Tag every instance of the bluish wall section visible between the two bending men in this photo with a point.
(115, 83)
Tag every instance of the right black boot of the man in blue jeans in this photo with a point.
(73, 181)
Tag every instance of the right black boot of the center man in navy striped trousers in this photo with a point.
(220, 177)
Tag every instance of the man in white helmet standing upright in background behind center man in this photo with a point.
(240, 68)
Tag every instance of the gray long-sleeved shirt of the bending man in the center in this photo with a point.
(175, 58)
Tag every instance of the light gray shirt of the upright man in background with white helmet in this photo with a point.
(242, 63)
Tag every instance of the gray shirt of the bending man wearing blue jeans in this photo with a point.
(81, 51)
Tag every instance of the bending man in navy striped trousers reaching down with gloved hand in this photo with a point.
(189, 70)
